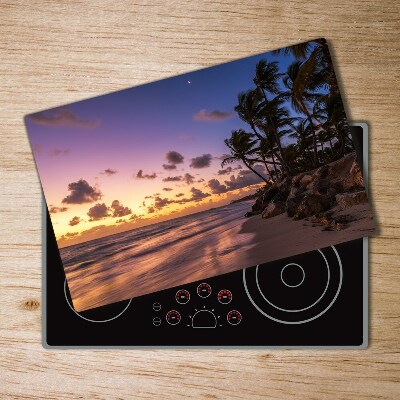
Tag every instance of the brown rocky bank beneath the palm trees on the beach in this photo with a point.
(312, 193)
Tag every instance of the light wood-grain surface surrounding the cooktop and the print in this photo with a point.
(54, 52)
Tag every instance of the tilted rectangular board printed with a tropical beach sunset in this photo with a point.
(158, 185)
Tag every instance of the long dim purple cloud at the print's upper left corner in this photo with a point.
(62, 117)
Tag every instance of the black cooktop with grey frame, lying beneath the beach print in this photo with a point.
(316, 299)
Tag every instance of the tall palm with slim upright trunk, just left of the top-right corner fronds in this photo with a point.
(300, 97)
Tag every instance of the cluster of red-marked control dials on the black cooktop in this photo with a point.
(205, 308)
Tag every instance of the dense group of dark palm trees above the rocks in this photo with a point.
(296, 119)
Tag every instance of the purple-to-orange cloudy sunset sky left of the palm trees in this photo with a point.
(90, 153)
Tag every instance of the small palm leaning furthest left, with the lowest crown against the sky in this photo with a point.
(241, 145)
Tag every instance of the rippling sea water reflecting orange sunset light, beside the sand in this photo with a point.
(156, 257)
